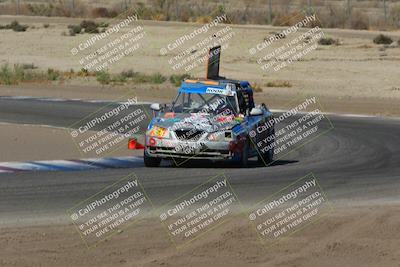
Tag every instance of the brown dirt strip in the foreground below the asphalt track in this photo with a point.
(356, 236)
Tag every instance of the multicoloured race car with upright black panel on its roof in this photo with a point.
(213, 118)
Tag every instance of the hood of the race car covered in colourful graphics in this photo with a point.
(205, 122)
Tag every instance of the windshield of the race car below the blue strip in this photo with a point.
(204, 103)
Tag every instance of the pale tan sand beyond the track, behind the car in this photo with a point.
(356, 76)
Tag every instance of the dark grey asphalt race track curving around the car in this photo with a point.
(356, 162)
